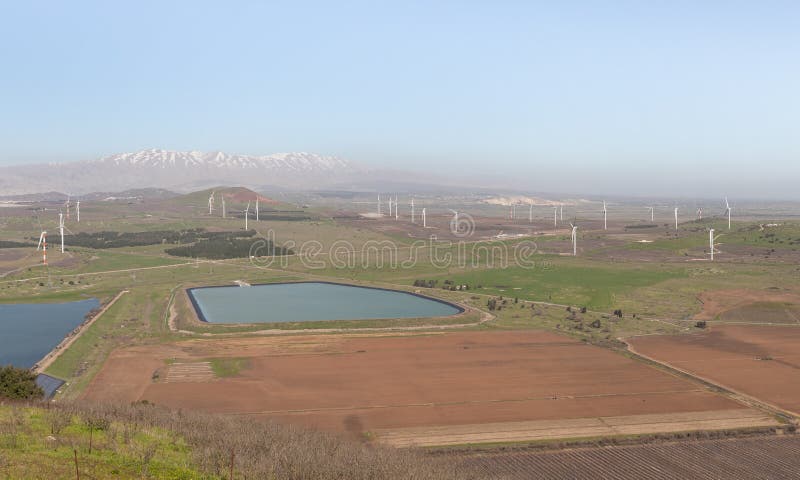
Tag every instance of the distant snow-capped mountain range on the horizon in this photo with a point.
(185, 171)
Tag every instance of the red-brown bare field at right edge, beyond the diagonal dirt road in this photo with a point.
(760, 361)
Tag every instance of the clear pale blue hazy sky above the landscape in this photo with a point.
(627, 97)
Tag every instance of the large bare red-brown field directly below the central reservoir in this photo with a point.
(359, 383)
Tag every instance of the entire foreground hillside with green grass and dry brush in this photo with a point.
(145, 441)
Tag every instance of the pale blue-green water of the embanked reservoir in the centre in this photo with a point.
(311, 301)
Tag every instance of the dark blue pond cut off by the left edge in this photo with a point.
(28, 331)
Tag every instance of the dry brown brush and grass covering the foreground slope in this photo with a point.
(263, 450)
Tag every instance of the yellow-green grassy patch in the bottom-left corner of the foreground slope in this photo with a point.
(36, 443)
